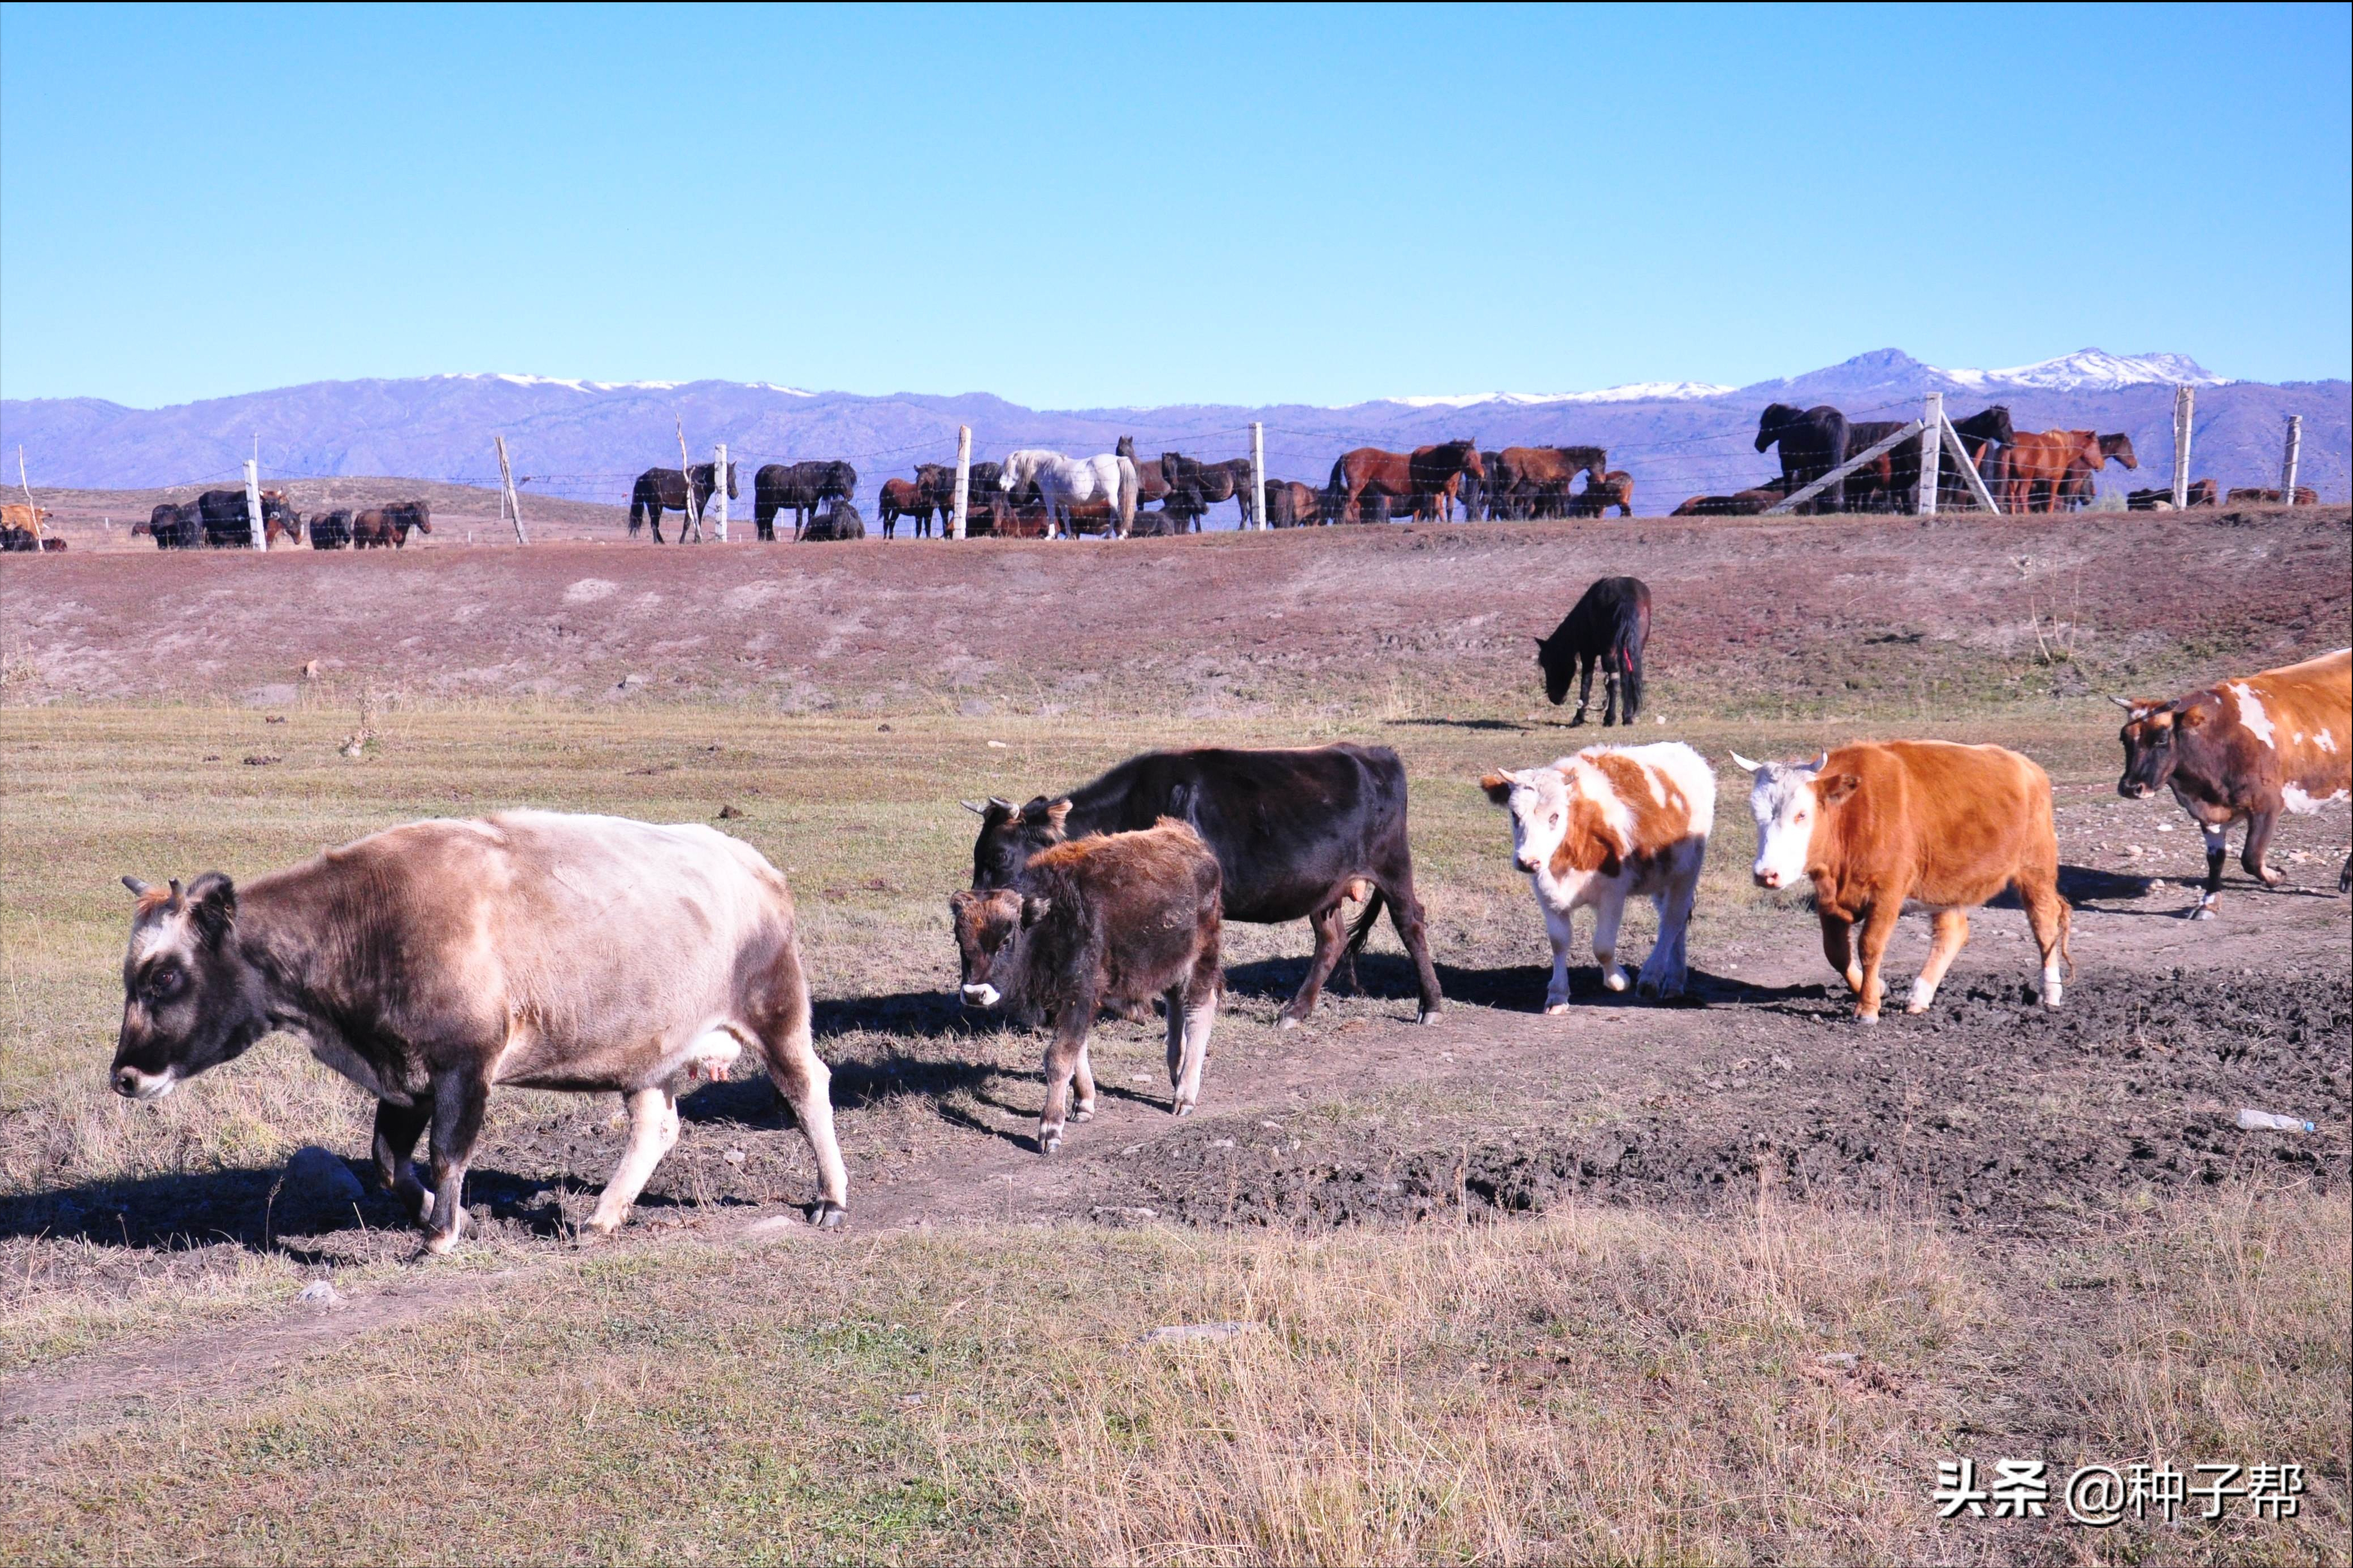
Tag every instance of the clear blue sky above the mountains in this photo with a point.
(1084, 208)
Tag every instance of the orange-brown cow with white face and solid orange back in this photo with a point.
(1912, 822)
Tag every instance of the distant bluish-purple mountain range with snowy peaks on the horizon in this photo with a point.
(592, 438)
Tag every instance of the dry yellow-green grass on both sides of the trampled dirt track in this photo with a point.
(1599, 1386)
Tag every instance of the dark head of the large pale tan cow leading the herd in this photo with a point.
(192, 1000)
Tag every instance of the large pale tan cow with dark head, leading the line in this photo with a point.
(436, 960)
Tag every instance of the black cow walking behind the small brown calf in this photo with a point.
(1295, 833)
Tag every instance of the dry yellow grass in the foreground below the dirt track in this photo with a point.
(1597, 1386)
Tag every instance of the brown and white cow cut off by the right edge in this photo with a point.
(2244, 751)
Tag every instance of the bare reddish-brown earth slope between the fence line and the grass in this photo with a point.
(1749, 612)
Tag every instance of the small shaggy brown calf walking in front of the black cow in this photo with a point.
(1109, 920)
